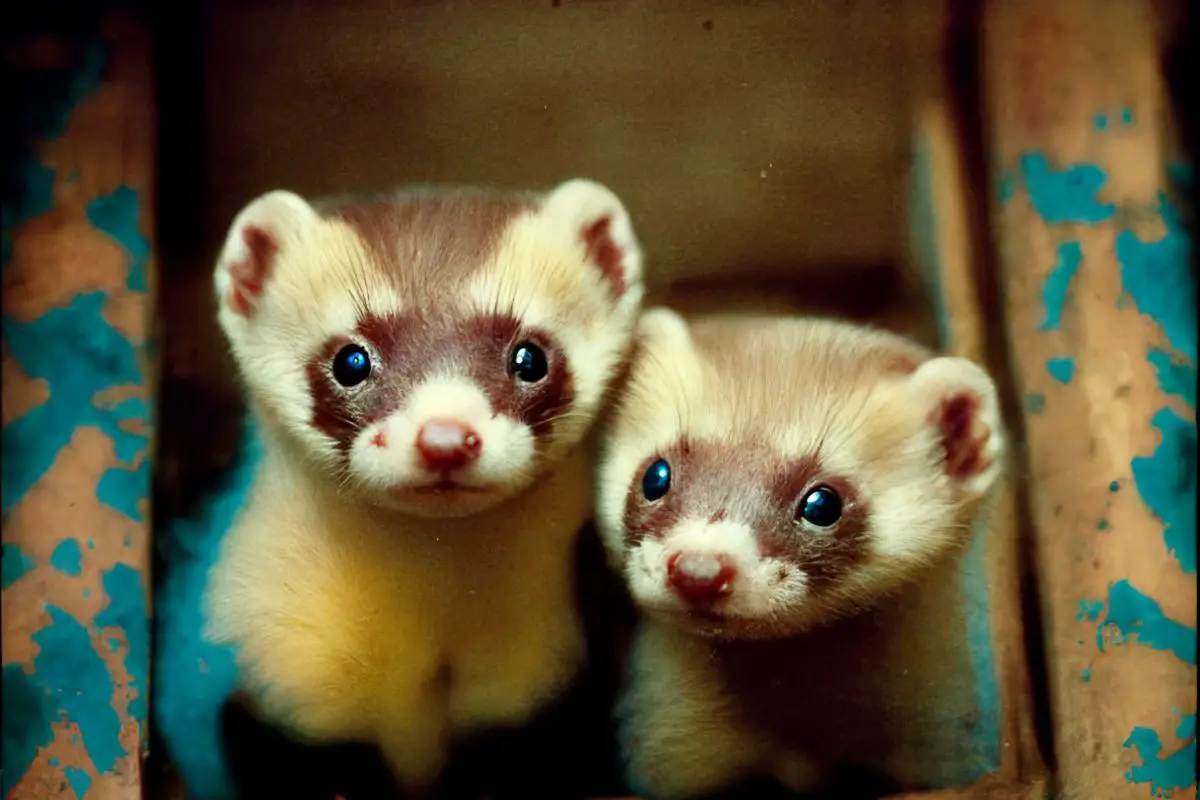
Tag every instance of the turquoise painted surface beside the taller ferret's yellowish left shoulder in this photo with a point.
(193, 676)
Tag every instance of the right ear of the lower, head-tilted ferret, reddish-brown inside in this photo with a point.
(964, 414)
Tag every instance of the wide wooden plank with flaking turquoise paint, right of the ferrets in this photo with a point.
(1100, 297)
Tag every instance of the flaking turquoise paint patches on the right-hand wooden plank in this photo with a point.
(1159, 281)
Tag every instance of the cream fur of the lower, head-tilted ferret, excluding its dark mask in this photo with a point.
(793, 384)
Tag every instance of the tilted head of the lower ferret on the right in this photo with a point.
(766, 476)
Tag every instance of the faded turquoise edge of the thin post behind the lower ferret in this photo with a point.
(986, 733)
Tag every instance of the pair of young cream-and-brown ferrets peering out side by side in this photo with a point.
(427, 369)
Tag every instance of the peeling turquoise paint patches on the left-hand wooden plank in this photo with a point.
(80, 356)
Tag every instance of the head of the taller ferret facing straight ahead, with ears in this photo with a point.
(436, 351)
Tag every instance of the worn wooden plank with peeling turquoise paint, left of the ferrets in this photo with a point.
(79, 285)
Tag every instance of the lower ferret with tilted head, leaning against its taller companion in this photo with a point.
(765, 485)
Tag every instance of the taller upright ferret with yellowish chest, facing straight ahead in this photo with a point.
(425, 369)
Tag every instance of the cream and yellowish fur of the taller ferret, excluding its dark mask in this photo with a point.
(403, 622)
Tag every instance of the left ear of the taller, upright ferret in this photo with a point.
(253, 248)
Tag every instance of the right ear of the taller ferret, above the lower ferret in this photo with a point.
(599, 222)
